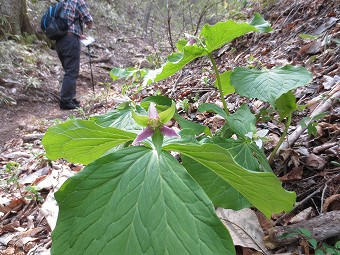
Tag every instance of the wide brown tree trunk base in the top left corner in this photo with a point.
(14, 18)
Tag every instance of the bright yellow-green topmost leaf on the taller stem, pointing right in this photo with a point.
(224, 32)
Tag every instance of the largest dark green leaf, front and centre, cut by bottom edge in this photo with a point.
(135, 201)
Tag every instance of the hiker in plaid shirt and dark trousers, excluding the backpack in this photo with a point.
(68, 50)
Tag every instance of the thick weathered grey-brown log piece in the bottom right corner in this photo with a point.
(321, 227)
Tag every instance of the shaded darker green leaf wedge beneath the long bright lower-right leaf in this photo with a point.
(220, 192)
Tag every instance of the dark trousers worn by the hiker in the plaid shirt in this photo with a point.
(68, 49)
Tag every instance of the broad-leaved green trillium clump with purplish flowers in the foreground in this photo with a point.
(150, 189)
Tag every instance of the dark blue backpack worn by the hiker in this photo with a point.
(54, 22)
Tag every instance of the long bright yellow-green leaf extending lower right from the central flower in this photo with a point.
(262, 189)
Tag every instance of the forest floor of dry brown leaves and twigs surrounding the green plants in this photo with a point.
(29, 88)
